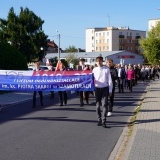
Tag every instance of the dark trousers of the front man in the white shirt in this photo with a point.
(101, 95)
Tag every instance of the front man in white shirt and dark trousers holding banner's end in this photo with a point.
(103, 89)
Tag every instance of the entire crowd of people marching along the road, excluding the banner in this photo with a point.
(106, 78)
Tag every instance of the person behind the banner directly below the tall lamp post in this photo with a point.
(62, 94)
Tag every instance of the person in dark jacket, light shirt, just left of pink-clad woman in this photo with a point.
(121, 78)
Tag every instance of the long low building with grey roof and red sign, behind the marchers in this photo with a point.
(123, 57)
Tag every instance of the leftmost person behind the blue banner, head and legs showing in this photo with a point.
(37, 68)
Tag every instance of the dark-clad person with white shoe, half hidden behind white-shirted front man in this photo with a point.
(114, 76)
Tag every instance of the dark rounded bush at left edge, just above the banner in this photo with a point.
(11, 58)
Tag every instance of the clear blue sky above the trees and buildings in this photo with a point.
(71, 18)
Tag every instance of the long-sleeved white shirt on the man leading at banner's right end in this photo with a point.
(102, 77)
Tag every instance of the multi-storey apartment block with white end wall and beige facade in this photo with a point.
(113, 39)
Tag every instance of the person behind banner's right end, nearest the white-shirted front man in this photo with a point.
(82, 94)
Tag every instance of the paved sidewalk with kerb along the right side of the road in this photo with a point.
(144, 142)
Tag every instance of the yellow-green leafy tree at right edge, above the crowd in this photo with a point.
(151, 45)
